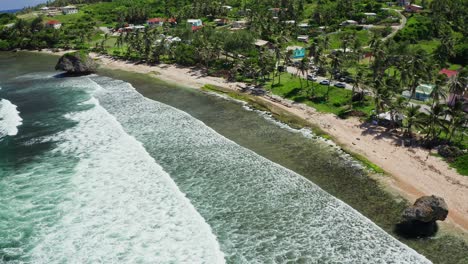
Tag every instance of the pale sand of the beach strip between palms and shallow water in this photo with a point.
(413, 172)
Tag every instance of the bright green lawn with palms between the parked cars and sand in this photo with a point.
(338, 102)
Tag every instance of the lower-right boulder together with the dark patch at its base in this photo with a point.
(419, 220)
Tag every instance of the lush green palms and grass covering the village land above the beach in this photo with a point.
(381, 69)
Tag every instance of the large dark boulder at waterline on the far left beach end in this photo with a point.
(76, 63)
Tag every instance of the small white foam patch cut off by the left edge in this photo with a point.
(10, 119)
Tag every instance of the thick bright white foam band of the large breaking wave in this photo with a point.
(123, 208)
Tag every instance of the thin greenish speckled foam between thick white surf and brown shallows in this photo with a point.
(261, 211)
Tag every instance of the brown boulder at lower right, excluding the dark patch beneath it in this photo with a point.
(427, 209)
